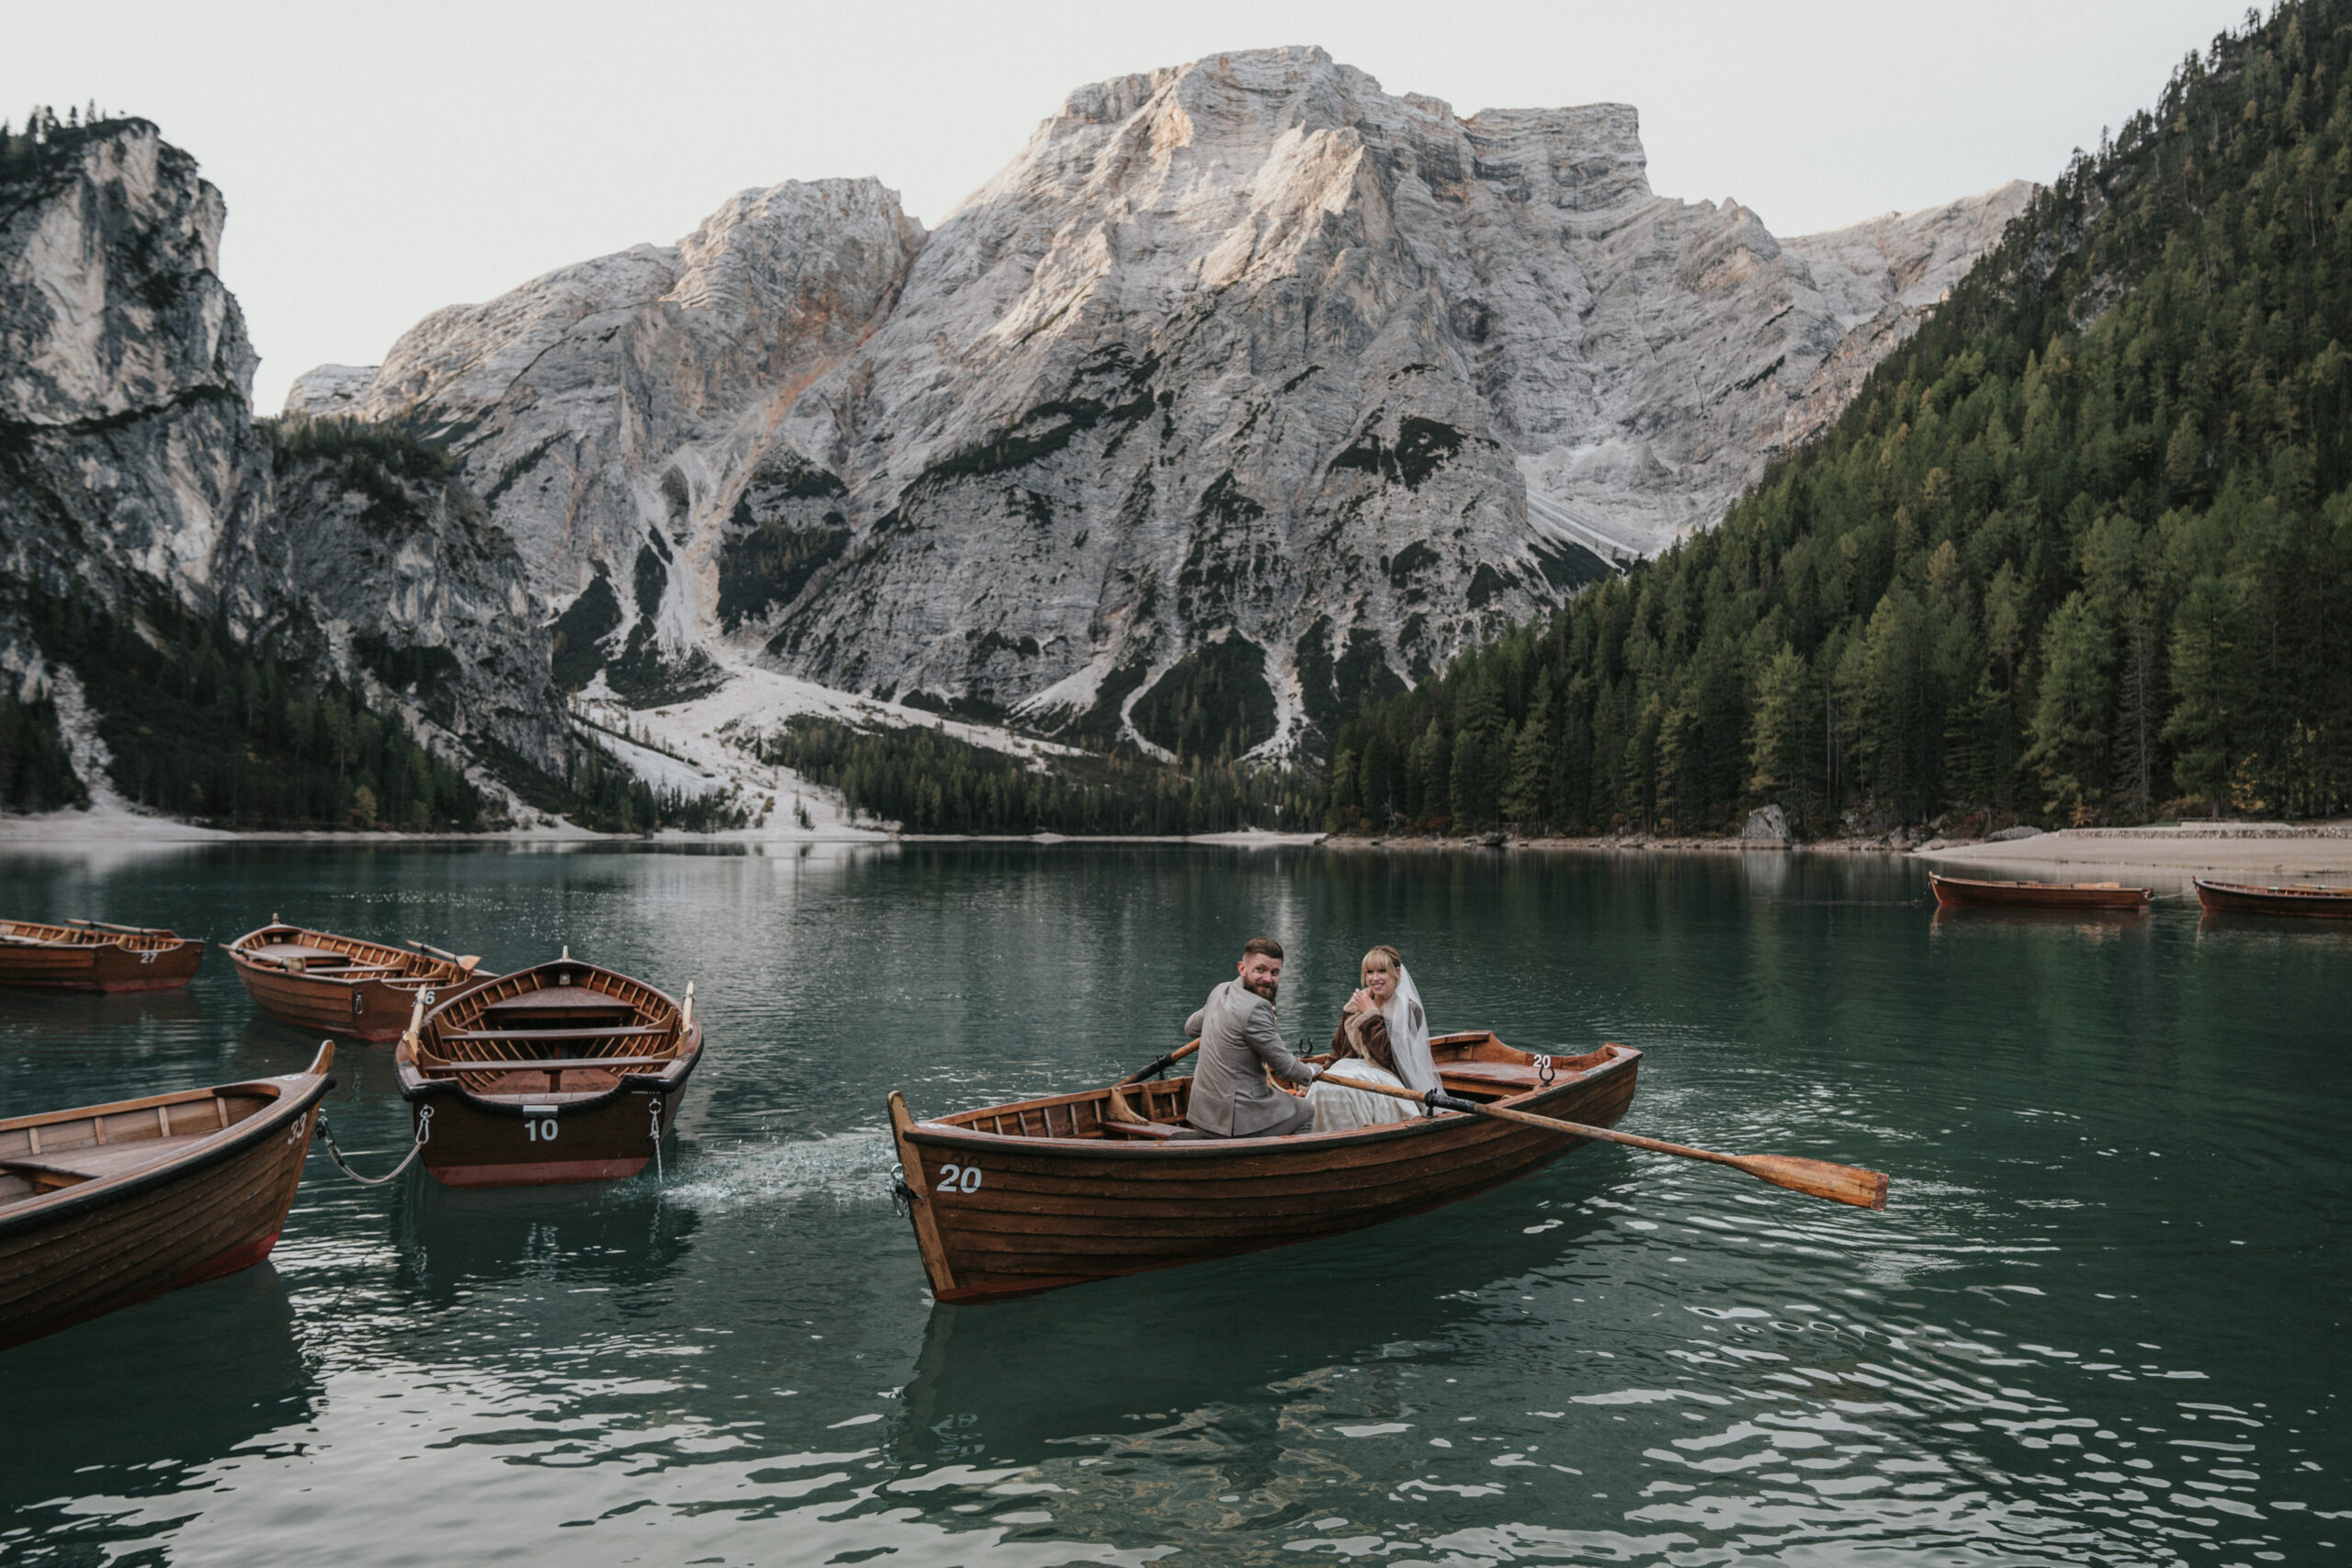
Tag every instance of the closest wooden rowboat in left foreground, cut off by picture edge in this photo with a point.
(112, 1205)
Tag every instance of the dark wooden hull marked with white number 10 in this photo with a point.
(486, 1144)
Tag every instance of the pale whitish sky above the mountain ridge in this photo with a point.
(387, 161)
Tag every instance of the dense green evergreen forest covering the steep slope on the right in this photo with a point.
(2080, 549)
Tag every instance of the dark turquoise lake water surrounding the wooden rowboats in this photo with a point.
(2102, 1322)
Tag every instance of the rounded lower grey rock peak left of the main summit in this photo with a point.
(622, 415)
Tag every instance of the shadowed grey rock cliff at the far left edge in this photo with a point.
(133, 471)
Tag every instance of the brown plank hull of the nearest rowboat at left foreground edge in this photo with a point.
(107, 1245)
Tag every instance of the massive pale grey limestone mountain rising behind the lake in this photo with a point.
(1248, 389)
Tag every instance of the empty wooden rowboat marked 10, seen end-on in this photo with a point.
(559, 1073)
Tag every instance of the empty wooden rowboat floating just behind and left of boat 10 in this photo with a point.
(342, 984)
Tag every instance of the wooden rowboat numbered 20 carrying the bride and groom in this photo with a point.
(1036, 1195)
